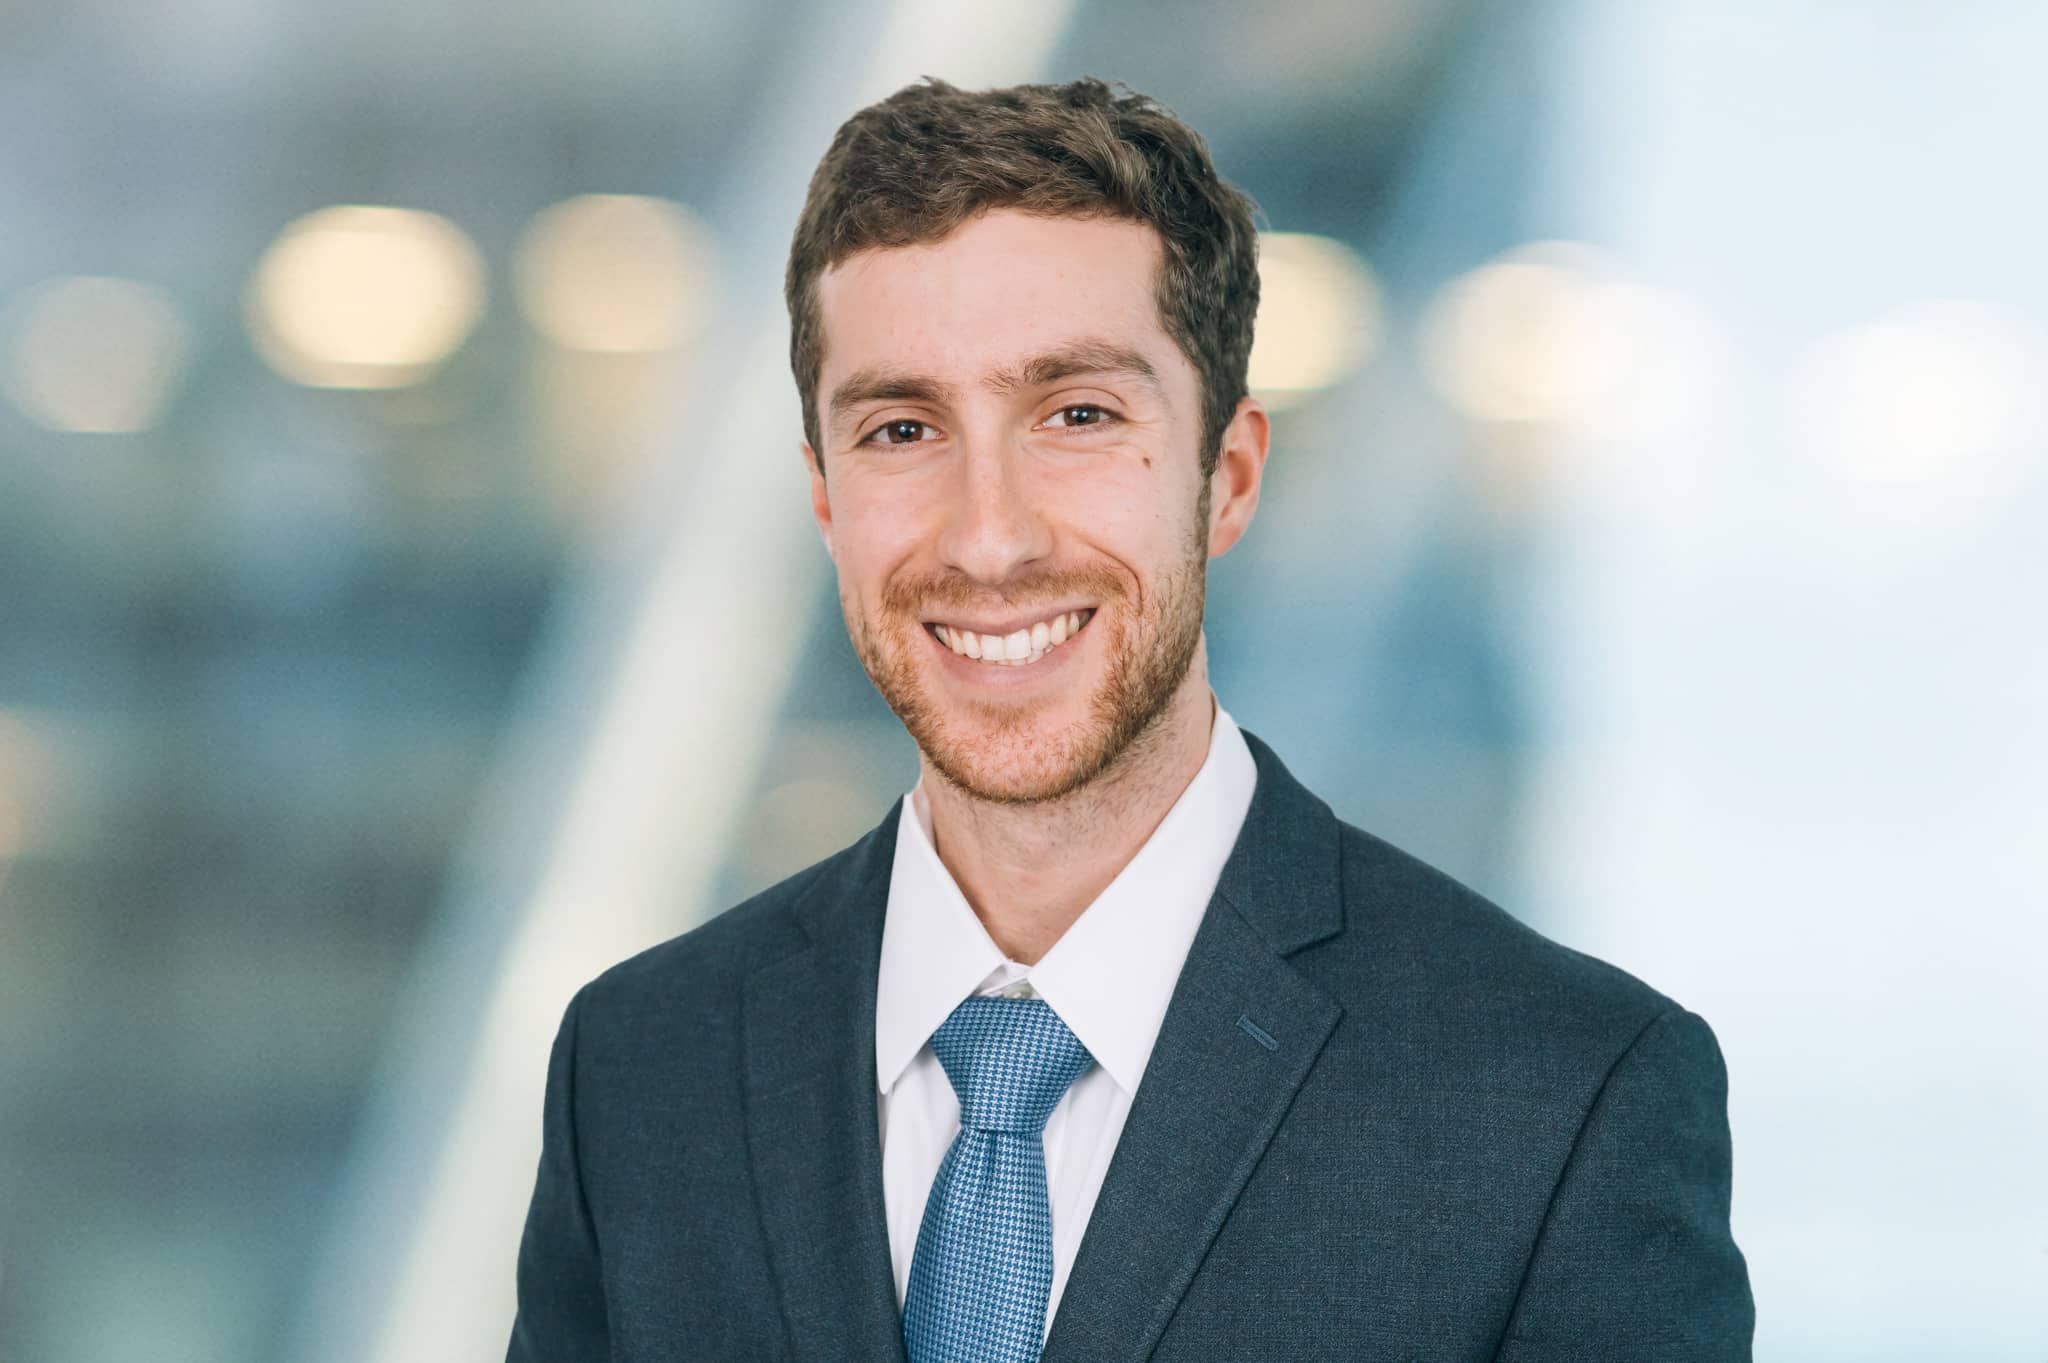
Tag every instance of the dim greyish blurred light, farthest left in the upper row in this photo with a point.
(95, 355)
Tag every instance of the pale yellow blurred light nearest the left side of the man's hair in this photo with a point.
(615, 273)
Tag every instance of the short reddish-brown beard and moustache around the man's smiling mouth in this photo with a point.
(996, 750)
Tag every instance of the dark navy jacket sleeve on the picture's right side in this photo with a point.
(1635, 1262)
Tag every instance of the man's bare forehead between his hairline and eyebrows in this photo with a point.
(998, 288)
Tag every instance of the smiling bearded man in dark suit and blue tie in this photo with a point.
(1111, 1041)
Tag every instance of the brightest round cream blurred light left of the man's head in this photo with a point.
(366, 298)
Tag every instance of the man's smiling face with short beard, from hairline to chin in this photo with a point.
(1013, 494)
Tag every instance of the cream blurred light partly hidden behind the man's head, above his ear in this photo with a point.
(1320, 316)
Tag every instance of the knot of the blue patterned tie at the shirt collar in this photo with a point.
(1009, 1061)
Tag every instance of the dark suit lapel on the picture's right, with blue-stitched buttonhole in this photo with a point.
(1240, 1037)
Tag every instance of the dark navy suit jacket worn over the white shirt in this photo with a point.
(1383, 1123)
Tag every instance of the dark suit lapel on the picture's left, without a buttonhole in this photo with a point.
(814, 1123)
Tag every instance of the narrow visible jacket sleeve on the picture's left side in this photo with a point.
(560, 1282)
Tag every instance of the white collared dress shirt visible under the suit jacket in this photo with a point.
(1109, 977)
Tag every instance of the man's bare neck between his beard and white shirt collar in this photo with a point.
(1029, 871)
